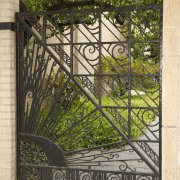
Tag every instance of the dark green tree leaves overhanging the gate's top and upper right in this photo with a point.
(145, 25)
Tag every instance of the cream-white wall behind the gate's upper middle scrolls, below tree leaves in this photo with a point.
(84, 50)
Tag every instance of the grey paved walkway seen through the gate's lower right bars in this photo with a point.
(126, 158)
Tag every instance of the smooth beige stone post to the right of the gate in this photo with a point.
(171, 91)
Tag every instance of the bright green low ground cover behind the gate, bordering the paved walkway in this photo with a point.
(94, 130)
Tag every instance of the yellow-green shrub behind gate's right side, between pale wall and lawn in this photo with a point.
(141, 68)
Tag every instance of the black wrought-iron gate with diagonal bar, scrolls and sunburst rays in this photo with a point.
(89, 94)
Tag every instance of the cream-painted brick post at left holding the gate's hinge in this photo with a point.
(7, 90)
